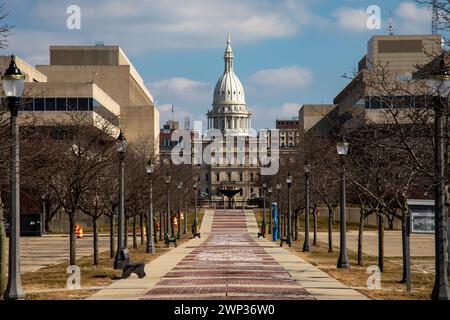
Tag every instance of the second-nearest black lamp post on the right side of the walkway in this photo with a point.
(342, 149)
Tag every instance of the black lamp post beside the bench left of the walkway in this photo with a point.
(121, 147)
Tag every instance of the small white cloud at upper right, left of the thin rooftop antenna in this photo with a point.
(351, 19)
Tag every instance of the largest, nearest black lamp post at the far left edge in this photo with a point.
(13, 85)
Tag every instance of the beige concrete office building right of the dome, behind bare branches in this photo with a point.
(391, 59)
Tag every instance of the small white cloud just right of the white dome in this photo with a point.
(282, 79)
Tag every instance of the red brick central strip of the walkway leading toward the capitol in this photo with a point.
(228, 265)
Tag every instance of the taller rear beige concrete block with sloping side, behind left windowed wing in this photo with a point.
(109, 72)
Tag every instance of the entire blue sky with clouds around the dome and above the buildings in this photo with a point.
(288, 52)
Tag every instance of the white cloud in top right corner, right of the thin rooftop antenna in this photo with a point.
(412, 19)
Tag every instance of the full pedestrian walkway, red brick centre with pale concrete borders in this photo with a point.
(229, 262)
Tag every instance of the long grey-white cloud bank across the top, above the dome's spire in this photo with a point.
(196, 24)
